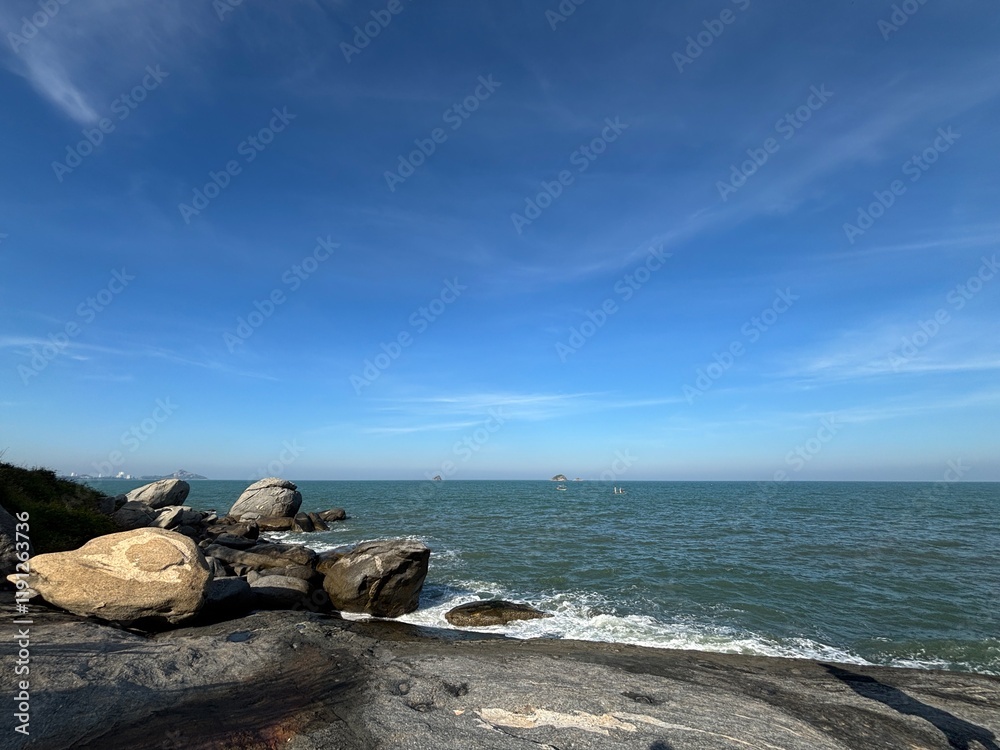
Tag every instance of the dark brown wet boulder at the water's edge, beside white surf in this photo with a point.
(379, 578)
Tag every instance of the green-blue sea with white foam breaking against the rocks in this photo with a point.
(898, 574)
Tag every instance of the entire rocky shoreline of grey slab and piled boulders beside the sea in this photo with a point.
(192, 631)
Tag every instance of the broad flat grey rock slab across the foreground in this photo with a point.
(304, 682)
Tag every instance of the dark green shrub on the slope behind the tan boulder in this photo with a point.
(63, 514)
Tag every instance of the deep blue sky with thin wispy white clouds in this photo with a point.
(328, 239)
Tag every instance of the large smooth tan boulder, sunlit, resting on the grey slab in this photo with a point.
(148, 575)
